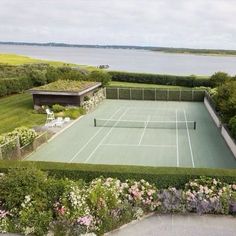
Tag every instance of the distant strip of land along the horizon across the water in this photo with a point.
(204, 52)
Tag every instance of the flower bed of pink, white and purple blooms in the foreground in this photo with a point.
(43, 205)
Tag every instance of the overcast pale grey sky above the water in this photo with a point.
(171, 23)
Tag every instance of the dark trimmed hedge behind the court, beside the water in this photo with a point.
(186, 81)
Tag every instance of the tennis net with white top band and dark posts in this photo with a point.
(145, 124)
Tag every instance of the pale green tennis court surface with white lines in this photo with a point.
(149, 133)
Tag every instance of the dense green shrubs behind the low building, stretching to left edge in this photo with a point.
(18, 78)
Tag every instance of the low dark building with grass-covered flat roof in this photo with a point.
(63, 92)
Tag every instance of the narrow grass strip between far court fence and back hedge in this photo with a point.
(141, 85)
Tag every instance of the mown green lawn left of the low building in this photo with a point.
(17, 110)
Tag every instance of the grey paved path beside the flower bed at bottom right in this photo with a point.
(180, 225)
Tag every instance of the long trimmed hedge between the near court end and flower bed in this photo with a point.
(163, 177)
